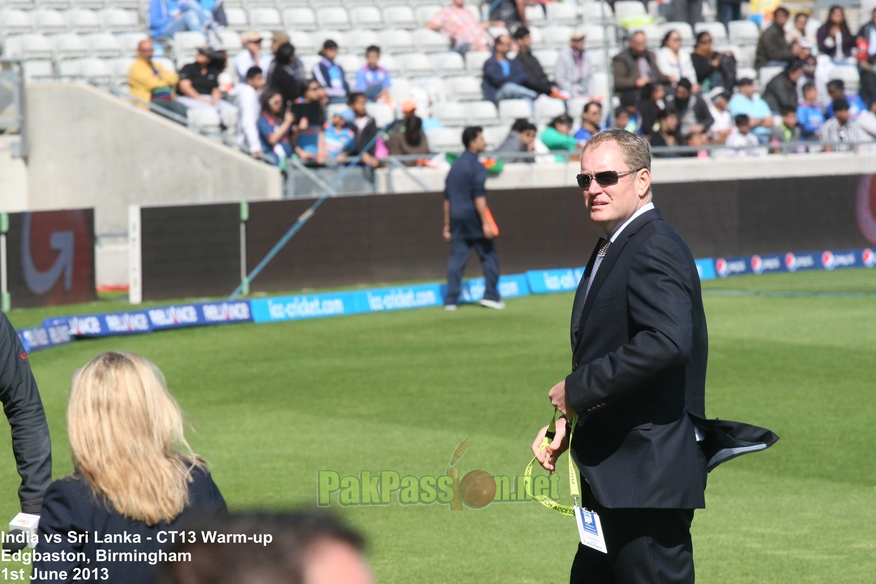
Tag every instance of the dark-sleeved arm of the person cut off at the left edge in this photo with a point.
(24, 410)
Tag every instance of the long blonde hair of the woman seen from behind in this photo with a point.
(126, 432)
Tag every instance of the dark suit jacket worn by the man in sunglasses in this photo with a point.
(640, 348)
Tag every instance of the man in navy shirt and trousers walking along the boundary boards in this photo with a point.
(466, 223)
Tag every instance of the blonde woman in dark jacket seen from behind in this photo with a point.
(135, 479)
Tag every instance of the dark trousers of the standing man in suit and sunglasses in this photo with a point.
(645, 546)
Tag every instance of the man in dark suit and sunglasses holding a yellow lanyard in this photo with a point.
(640, 348)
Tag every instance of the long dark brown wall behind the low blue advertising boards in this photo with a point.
(194, 251)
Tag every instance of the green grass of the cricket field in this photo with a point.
(272, 405)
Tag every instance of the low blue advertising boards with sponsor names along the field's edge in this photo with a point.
(59, 331)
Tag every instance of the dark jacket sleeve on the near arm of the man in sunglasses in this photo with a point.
(659, 304)
